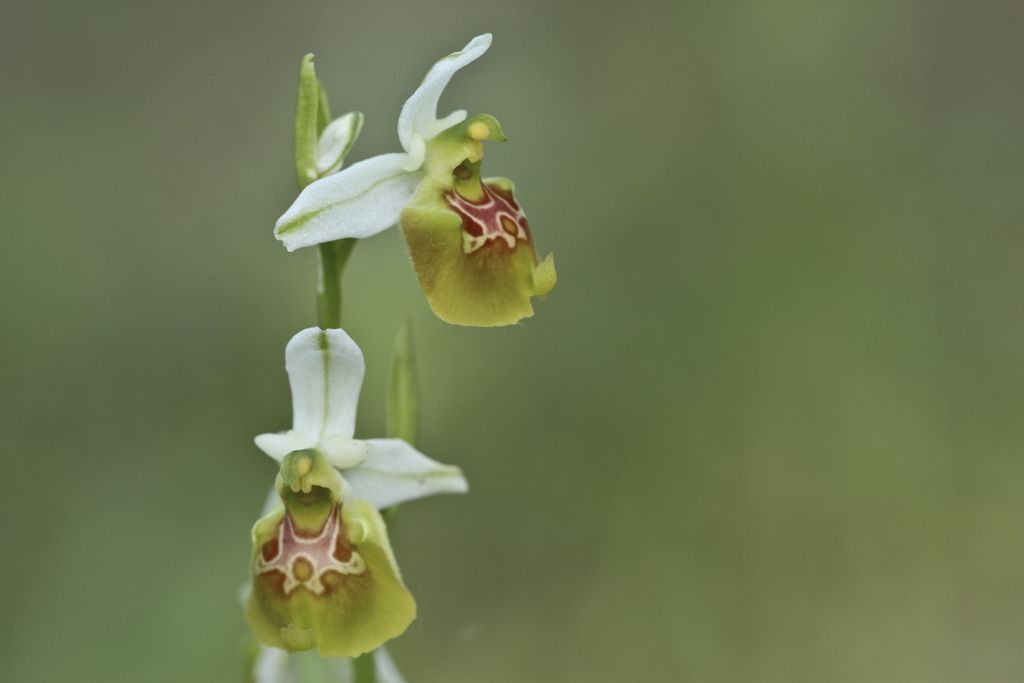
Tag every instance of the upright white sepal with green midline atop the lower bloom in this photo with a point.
(325, 369)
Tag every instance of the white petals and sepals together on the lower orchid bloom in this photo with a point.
(326, 370)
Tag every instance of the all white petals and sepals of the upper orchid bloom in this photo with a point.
(368, 197)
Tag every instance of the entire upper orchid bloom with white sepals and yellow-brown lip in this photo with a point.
(472, 246)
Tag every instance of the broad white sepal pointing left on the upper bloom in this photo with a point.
(359, 202)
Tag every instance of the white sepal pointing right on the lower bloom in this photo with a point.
(396, 473)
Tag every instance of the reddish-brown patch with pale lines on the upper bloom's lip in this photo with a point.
(495, 220)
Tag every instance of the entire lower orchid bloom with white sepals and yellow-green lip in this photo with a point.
(324, 575)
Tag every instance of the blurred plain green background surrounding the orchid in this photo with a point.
(767, 428)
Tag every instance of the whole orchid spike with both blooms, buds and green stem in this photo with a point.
(326, 592)
